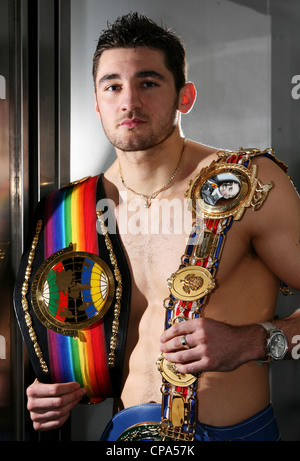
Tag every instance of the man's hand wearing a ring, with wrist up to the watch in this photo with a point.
(212, 345)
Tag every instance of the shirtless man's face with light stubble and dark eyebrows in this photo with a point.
(136, 99)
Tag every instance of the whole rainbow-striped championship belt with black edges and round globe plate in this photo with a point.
(72, 294)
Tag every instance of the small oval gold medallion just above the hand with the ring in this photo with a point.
(191, 283)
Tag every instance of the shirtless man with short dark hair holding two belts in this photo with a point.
(140, 94)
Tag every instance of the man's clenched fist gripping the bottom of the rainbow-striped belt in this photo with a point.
(50, 404)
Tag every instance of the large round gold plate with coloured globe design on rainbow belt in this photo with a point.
(72, 290)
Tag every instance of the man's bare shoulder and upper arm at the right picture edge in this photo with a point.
(275, 228)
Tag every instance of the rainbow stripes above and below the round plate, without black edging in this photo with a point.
(70, 217)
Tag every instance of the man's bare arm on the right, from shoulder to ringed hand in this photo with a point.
(274, 232)
